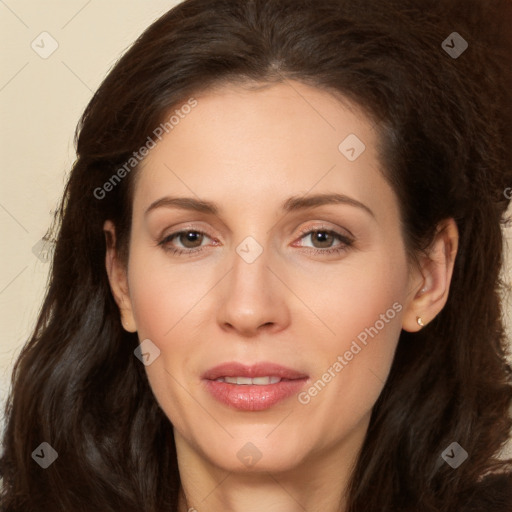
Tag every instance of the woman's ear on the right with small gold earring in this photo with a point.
(430, 283)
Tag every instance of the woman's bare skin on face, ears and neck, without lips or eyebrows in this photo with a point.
(249, 151)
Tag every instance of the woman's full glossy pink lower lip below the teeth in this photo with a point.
(251, 397)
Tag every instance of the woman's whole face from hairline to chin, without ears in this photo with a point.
(290, 265)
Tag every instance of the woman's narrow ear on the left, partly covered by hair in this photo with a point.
(118, 278)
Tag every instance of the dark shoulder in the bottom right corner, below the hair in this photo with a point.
(492, 494)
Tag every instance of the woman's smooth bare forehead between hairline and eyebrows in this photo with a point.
(239, 144)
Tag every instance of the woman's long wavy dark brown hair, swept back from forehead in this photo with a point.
(443, 122)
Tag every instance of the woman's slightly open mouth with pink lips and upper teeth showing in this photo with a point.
(252, 388)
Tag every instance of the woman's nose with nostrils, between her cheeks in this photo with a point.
(252, 300)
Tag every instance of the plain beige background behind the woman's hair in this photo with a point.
(40, 103)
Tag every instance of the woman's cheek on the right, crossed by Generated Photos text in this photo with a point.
(362, 306)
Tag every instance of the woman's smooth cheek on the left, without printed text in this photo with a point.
(169, 306)
